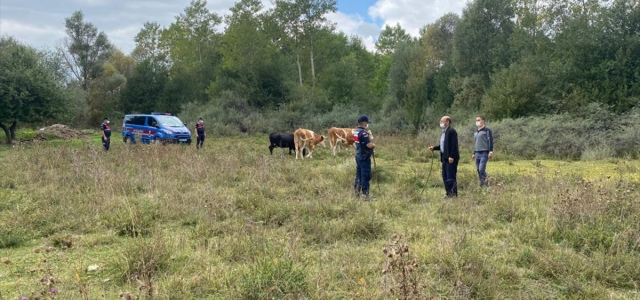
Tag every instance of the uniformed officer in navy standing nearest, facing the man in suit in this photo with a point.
(364, 151)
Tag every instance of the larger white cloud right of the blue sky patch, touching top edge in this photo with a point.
(413, 14)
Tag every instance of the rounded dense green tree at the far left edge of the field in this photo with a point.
(29, 89)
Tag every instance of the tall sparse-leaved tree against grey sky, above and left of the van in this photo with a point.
(86, 50)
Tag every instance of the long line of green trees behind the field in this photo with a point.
(504, 58)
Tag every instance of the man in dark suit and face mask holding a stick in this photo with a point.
(449, 156)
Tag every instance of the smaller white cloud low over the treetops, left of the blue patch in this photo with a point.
(355, 25)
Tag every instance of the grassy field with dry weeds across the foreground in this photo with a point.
(233, 222)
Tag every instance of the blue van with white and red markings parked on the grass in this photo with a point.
(159, 128)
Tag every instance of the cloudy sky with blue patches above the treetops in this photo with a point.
(40, 23)
